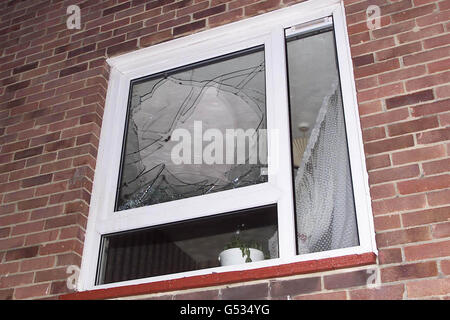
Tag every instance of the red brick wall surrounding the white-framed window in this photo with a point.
(53, 86)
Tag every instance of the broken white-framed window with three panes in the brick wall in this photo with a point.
(232, 149)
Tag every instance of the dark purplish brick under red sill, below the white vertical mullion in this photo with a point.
(294, 287)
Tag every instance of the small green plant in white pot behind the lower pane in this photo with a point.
(238, 251)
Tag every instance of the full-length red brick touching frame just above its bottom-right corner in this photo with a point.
(393, 238)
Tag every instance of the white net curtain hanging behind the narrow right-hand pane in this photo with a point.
(325, 213)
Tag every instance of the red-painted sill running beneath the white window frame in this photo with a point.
(215, 279)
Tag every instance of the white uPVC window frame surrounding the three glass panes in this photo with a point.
(268, 29)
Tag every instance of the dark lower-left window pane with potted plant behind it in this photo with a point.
(225, 239)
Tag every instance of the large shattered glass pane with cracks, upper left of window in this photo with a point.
(179, 139)
